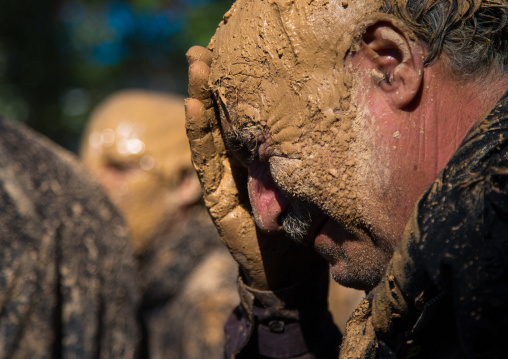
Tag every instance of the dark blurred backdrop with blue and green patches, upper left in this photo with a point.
(59, 58)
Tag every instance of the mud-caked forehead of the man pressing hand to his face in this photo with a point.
(273, 50)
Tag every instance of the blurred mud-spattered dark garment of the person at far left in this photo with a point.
(68, 286)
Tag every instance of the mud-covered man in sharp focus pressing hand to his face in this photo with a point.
(375, 133)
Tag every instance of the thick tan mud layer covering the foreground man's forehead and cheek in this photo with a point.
(281, 66)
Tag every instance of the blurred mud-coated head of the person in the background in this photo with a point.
(135, 144)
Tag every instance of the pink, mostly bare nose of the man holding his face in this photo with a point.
(267, 201)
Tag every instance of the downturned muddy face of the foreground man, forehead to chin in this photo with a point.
(288, 101)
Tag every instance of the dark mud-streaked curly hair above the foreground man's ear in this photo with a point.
(472, 34)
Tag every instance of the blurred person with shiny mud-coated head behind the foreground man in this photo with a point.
(136, 146)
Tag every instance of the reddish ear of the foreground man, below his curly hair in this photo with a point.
(395, 60)
